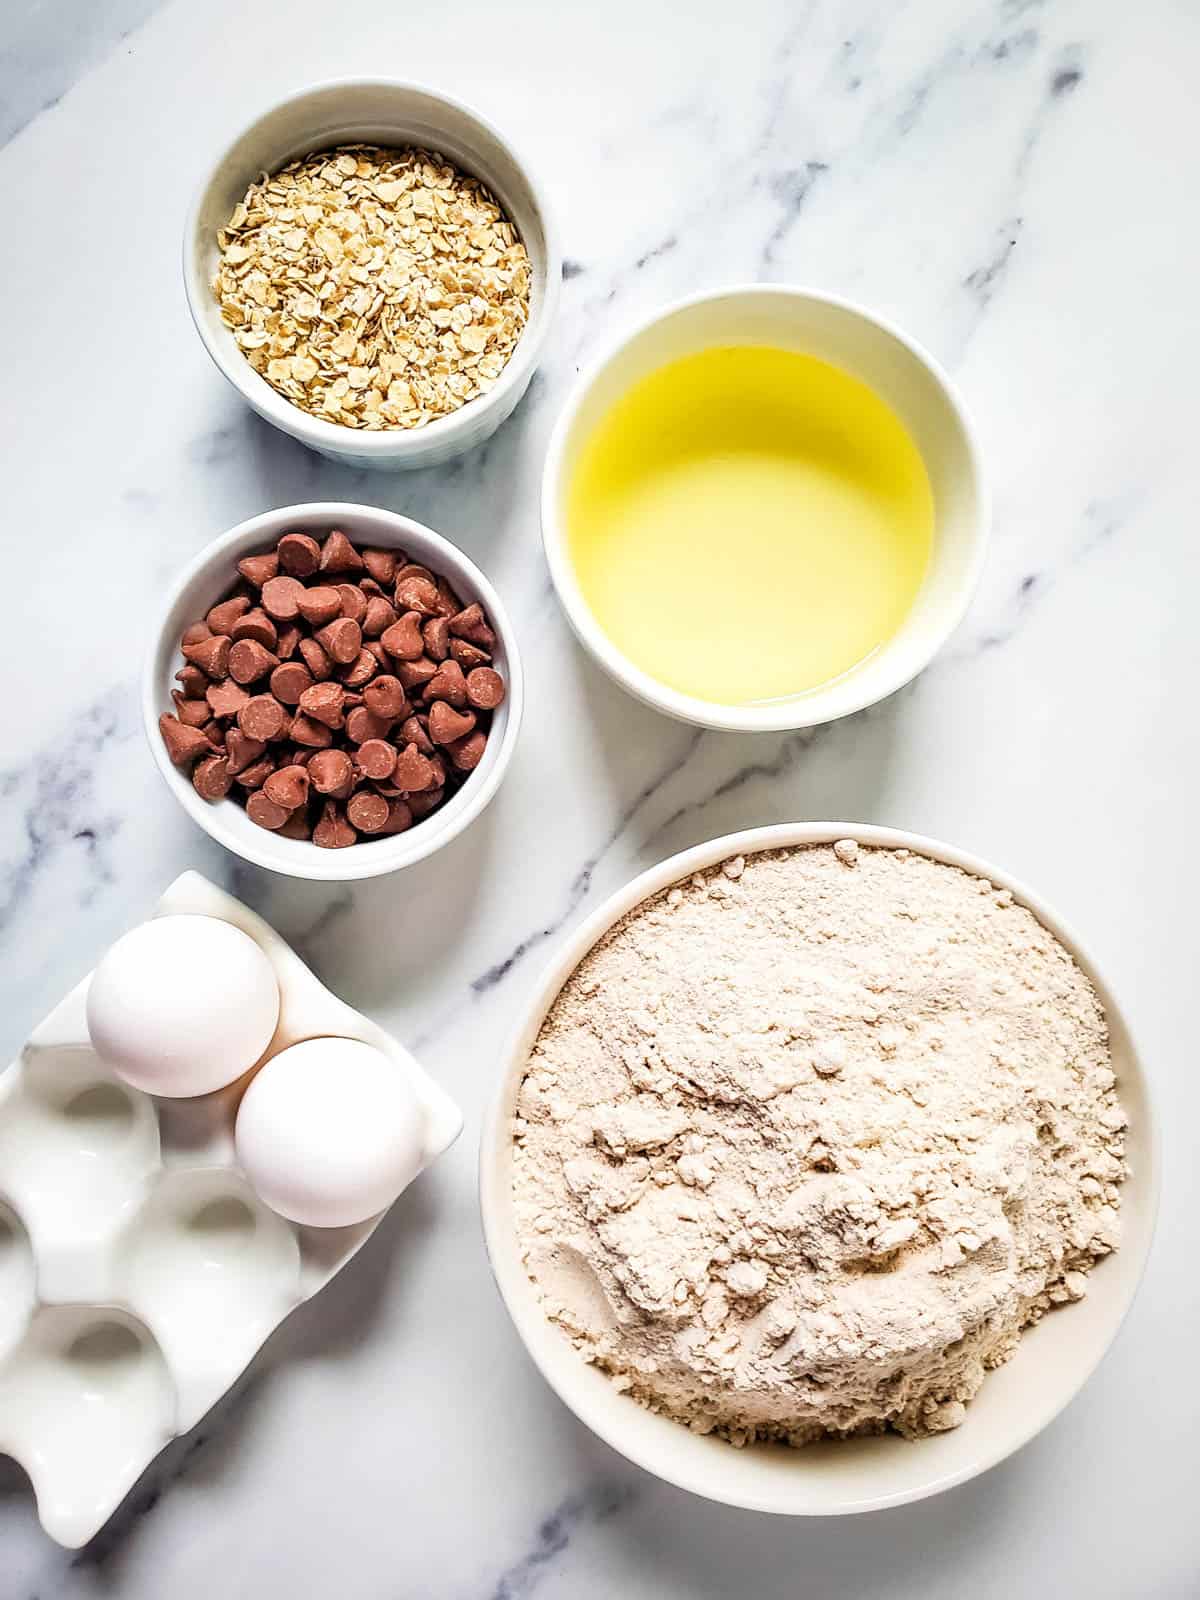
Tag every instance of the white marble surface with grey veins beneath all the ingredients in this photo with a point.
(1014, 183)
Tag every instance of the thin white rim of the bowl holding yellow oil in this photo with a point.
(802, 711)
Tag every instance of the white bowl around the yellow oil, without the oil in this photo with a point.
(870, 350)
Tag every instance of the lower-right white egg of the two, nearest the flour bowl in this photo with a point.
(330, 1132)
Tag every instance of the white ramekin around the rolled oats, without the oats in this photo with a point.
(374, 111)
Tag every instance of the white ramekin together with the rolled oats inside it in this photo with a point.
(375, 271)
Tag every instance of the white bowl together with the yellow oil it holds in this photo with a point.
(762, 510)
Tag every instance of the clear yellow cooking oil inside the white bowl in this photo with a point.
(750, 524)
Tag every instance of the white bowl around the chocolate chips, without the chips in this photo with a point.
(210, 578)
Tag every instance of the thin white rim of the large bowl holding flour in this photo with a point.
(516, 1289)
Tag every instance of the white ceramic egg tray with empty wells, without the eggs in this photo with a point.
(140, 1273)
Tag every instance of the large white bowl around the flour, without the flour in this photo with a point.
(838, 1476)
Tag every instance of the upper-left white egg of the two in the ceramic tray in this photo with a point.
(183, 1006)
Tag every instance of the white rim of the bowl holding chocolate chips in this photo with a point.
(391, 857)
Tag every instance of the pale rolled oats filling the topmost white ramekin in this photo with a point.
(374, 289)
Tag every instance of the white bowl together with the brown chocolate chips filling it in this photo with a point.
(335, 692)
